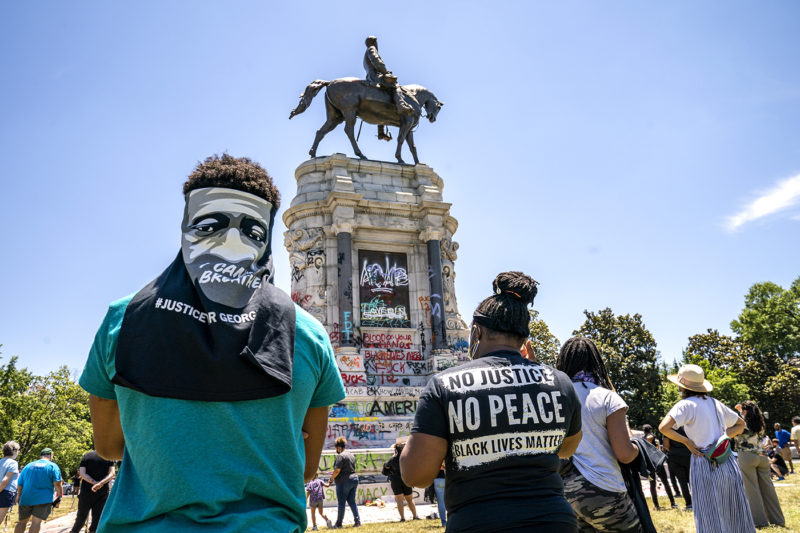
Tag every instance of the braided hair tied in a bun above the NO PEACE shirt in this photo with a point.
(506, 310)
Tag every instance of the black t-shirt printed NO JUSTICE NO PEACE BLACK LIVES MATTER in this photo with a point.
(504, 418)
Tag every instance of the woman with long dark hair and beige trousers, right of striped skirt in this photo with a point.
(764, 504)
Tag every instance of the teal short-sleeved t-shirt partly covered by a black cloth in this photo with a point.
(213, 466)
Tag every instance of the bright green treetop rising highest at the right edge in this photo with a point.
(770, 320)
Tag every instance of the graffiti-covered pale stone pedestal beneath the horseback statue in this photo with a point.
(373, 258)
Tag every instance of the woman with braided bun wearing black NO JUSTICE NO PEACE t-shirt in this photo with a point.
(500, 422)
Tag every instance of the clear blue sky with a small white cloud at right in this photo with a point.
(637, 156)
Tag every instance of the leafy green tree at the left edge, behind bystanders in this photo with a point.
(50, 411)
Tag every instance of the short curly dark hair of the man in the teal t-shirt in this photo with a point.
(240, 173)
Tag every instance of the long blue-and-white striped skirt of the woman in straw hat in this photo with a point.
(718, 497)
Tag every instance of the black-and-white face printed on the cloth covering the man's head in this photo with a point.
(225, 243)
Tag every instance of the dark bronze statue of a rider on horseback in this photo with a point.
(378, 99)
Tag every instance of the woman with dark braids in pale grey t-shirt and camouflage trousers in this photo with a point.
(593, 483)
